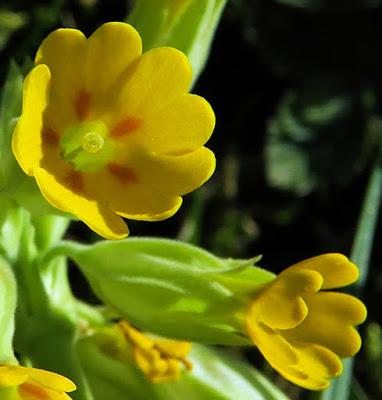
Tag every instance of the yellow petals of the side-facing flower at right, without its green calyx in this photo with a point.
(303, 331)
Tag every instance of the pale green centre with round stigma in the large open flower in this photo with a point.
(87, 147)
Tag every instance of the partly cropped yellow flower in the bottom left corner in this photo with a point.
(35, 384)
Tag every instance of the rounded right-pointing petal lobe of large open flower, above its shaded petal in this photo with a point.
(177, 127)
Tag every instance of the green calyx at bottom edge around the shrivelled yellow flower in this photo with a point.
(215, 376)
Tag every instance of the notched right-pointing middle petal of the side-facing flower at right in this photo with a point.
(329, 323)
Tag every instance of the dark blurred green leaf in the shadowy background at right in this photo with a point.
(320, 136)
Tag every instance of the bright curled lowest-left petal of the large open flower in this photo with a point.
(97, 215)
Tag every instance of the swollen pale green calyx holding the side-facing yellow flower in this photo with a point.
(172, 288)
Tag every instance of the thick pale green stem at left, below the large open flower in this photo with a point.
(47, 320)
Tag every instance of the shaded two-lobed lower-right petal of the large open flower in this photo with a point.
(159, 180)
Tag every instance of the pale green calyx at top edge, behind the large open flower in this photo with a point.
(188, 25)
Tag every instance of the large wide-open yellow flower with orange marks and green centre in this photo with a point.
(108, 132)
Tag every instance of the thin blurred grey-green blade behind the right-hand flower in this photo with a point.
(360, 255)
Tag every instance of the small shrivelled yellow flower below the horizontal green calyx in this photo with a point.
(158, 358)
